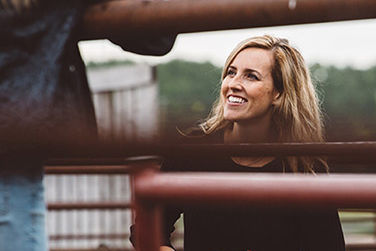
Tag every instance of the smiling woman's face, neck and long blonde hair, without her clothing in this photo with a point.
(279, 102)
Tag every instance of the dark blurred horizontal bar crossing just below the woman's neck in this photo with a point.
(119, 154)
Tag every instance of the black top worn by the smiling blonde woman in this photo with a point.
(255, 229)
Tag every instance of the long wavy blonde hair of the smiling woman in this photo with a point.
(298, 117)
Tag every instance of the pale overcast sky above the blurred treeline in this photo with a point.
(339, 43)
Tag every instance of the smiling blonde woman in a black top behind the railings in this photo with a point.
(266, 96)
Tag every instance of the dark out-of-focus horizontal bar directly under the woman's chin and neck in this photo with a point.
(123, 150)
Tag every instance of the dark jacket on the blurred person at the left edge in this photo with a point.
(44, 94)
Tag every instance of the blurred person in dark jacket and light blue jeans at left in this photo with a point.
(45, 104)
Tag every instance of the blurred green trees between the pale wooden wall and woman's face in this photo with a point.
(187, 91)
